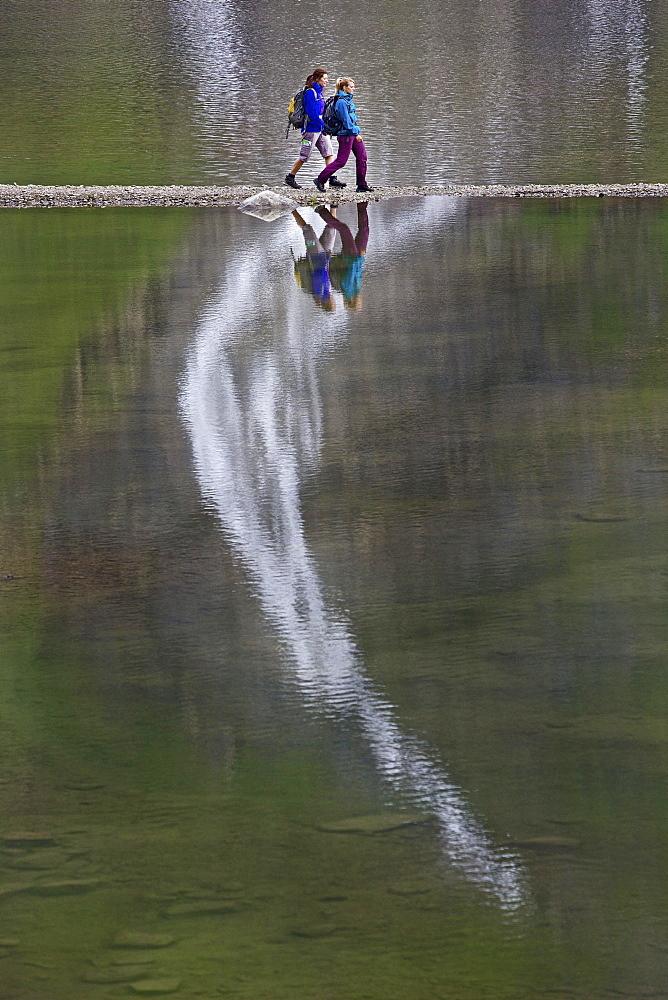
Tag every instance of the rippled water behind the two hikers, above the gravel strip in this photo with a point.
(195, 91)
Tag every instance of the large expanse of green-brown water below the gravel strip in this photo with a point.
(267, 567)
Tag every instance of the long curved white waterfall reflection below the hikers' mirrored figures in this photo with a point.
(254, 415)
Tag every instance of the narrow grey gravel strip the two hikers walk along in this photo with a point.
(178, 195)
